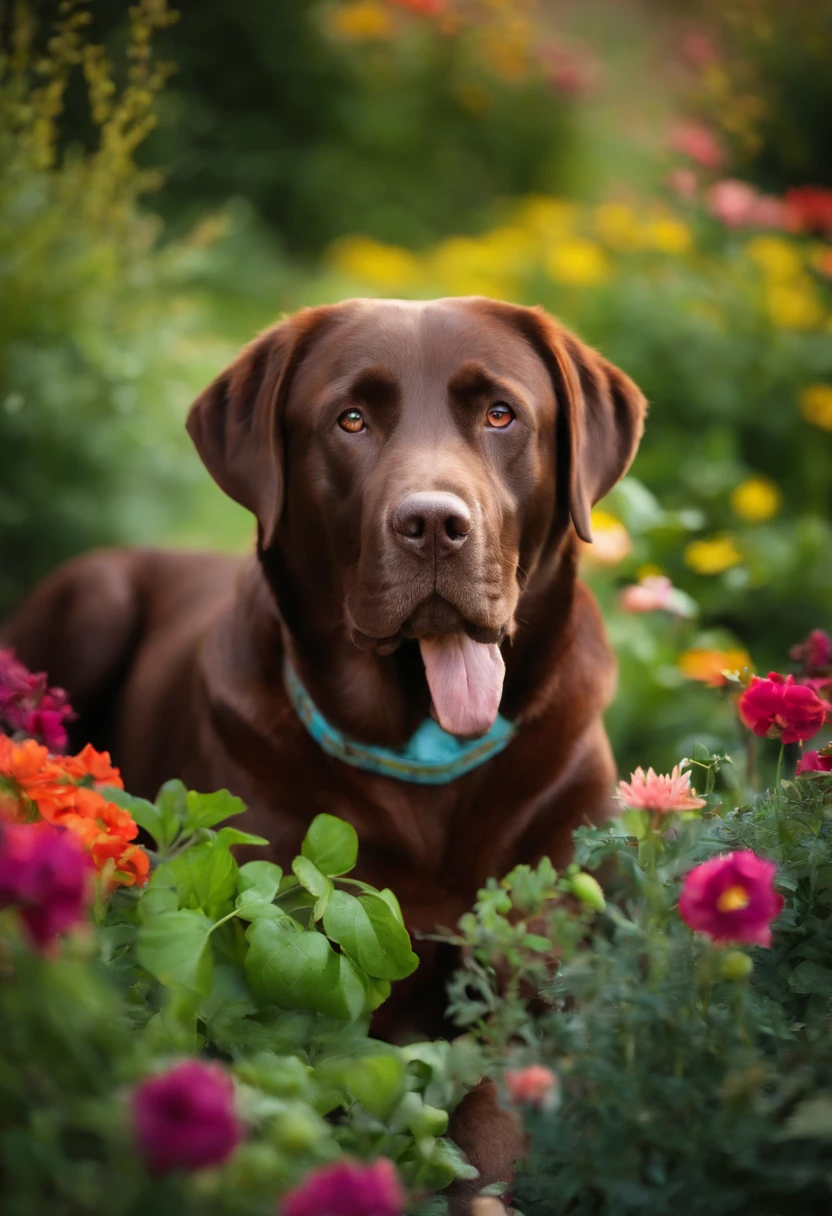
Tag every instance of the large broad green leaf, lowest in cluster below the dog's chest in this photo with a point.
(297, 969)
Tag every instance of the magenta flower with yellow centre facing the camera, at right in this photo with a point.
(733, 899)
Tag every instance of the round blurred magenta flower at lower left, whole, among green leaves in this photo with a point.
(185, 1119)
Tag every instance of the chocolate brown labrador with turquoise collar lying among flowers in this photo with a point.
(411, 648)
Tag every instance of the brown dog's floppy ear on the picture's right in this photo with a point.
(601, 414)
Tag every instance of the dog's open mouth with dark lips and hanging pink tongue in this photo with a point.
(463, 665)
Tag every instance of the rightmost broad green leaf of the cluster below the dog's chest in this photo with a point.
(367, 930)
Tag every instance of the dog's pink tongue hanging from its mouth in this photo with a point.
(466, 683)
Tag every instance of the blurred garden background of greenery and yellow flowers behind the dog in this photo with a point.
(659, 176)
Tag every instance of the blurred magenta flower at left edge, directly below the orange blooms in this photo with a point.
(46, 874)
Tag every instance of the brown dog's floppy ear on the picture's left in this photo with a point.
(237, 423)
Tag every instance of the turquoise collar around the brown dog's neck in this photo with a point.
(432, 757)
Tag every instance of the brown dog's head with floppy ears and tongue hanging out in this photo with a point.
(421, 459)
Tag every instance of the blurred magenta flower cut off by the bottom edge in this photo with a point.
(348, 1189)
